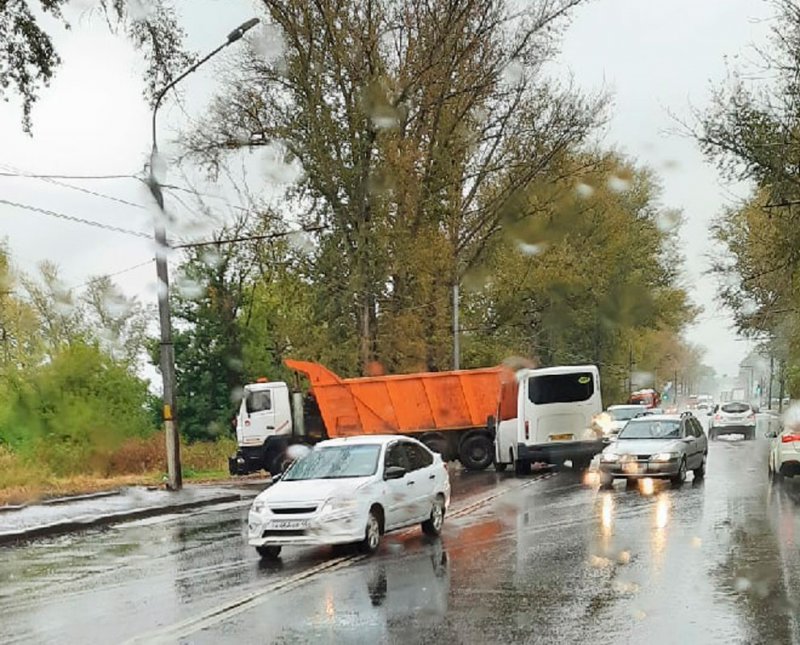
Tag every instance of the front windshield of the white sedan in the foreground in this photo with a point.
(336, 462)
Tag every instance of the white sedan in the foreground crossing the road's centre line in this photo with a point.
(351, 490)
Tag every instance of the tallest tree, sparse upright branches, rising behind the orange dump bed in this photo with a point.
(416, 124)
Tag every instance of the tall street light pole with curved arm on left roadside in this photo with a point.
(167, 353)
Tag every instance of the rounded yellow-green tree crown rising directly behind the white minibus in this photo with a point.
(583, 281)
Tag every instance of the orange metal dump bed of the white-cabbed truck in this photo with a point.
(404, 404)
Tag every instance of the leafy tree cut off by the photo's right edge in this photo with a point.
(751, 131)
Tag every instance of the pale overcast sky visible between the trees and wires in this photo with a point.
(655, 57)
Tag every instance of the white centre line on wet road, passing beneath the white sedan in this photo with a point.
(228, 610)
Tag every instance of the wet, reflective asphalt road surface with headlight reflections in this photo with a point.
(543, 559)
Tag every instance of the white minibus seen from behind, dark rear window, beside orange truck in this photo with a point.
(556, 409)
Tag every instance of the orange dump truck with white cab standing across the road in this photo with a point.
(451, 412)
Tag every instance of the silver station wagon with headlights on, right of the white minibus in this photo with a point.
(663, 446)
